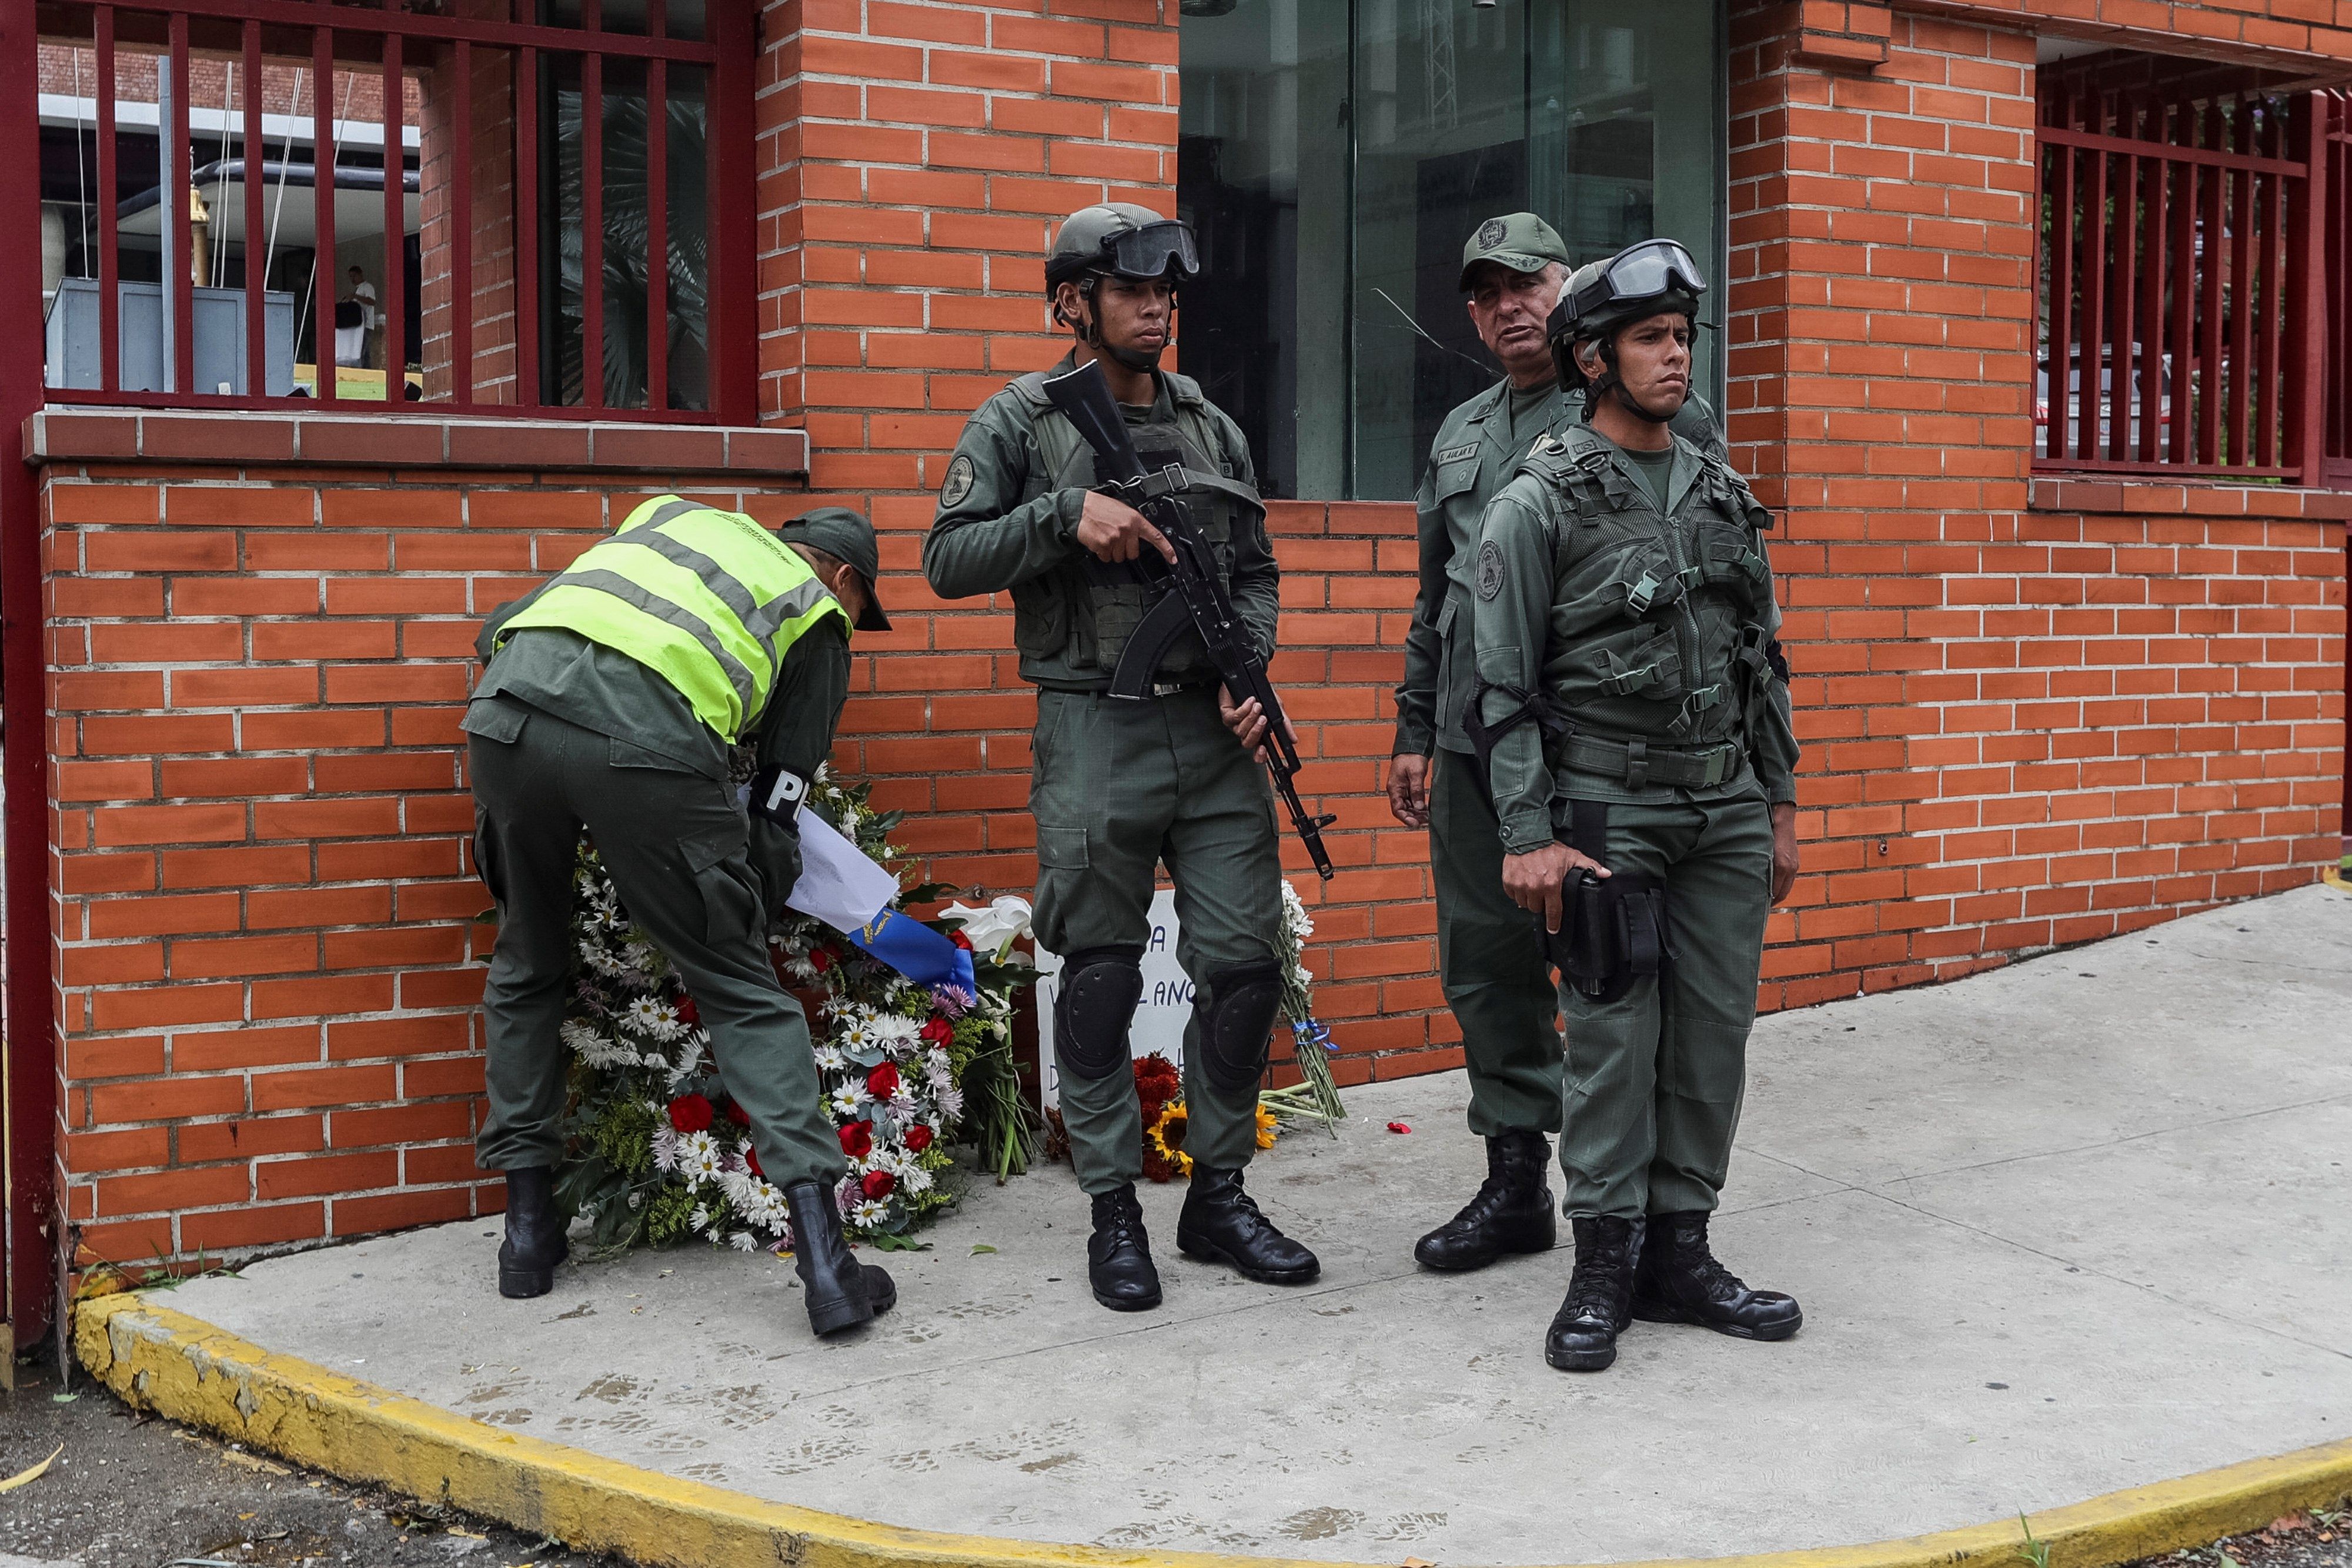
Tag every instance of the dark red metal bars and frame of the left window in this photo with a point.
(490, 48)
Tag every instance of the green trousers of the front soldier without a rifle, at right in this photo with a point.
(1655, 1078)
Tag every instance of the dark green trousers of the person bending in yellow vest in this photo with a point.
(676, 847)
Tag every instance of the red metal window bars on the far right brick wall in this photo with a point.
(2186, 281)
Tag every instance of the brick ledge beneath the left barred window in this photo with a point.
(65, 434)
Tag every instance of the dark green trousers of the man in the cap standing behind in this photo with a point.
(1490, 960)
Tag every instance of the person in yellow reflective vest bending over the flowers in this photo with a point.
(610, 702)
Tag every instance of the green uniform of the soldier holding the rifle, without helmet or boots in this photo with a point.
(1121, 786)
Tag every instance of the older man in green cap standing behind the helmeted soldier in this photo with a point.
(1492, 963)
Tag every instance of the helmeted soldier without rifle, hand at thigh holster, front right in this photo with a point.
(1633, 709)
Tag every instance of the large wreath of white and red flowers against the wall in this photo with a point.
(660, 1153)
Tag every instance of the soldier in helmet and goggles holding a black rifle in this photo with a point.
(1123, 786)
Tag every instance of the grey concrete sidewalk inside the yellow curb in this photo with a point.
(2059, 1231)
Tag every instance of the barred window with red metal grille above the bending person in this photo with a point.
(575, 206)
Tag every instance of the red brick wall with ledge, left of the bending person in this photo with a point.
(262, 883)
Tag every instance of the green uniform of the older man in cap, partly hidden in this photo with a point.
(1490, 963)
